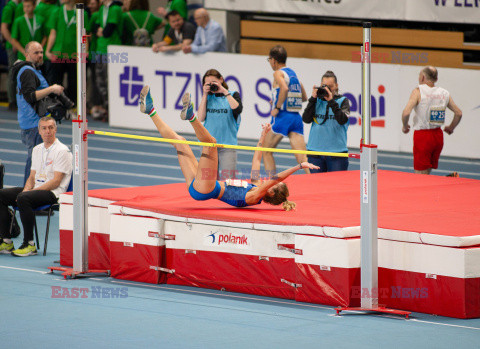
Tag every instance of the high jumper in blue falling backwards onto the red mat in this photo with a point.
(201, 176)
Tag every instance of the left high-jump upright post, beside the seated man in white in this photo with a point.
(80, 172)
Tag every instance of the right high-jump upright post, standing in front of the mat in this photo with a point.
(368, 177)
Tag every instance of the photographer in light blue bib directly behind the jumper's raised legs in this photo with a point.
(220, 108)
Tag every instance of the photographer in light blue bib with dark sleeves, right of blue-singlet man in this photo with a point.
(328, 112)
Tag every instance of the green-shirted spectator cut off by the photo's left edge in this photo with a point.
(8, 17)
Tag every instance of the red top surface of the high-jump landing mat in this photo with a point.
(407, 202)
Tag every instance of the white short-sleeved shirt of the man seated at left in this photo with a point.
(47, 161)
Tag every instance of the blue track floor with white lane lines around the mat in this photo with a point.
(183, 317)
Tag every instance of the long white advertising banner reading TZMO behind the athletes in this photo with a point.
(171, 75)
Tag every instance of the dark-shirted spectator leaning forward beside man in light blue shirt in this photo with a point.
(181, 33)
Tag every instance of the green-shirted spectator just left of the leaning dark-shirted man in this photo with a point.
(140, 24)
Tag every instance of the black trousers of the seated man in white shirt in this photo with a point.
(26, 202)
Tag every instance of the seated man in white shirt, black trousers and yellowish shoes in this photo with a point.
(49, 177)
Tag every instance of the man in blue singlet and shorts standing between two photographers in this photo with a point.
(288, 95)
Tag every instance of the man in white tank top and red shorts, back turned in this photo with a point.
(429, 103)
